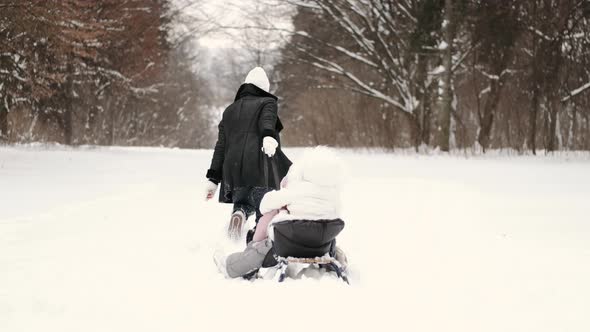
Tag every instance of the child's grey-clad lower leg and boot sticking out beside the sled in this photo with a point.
(241, 263)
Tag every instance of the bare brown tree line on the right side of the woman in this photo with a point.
(438, 73)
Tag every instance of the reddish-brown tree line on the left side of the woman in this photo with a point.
(109, 72)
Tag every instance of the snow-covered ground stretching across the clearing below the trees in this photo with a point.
(117, 239)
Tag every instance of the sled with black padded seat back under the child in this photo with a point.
(309, 242)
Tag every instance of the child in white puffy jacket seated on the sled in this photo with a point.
(310, 191)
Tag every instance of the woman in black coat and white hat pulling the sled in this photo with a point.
(248, 160)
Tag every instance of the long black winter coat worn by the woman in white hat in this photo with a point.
(238, 161)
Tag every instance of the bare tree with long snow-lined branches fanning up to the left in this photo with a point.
(388, 50)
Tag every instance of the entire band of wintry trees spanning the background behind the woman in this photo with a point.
(438, 74)
